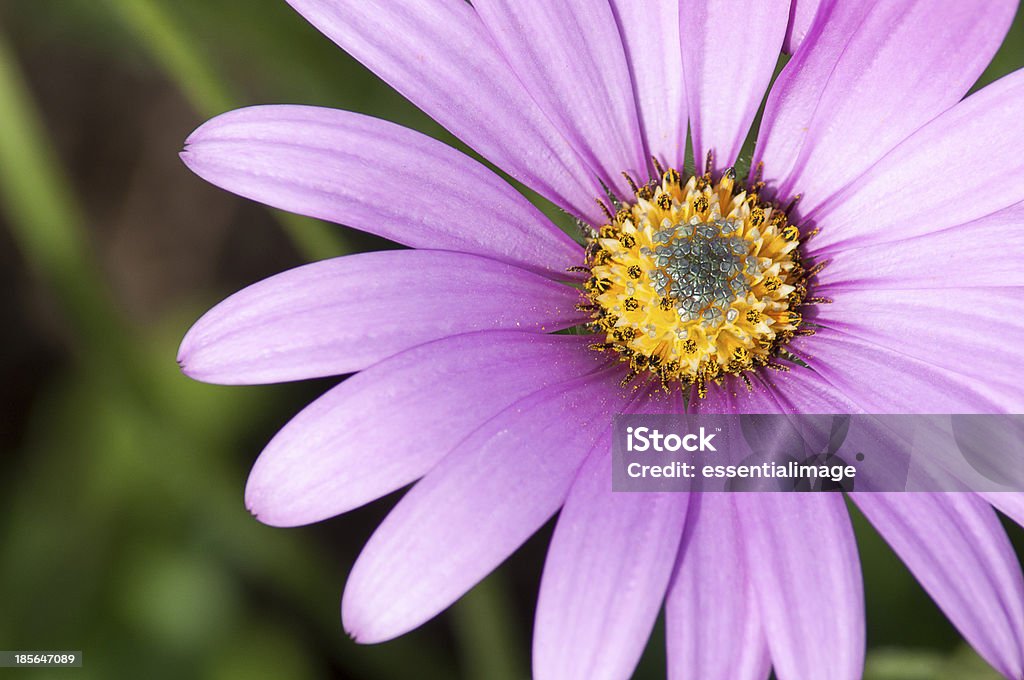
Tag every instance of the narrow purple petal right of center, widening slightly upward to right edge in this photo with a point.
(955, 259)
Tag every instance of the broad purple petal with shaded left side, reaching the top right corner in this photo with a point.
(868, 77)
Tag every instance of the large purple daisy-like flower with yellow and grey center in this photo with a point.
(915, 199)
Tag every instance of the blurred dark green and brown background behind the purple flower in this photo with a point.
(122, 528)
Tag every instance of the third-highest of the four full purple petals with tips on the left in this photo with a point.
(389, 426)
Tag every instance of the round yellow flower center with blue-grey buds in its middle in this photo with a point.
(697, 281)
